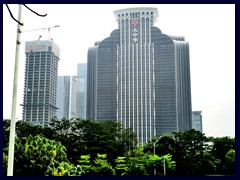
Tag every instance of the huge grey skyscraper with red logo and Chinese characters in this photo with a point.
(140, 77)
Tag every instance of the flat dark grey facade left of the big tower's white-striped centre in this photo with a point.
(106, 84)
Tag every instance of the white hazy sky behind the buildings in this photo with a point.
(210, 30)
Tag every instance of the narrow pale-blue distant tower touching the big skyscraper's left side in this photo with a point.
(82, 93)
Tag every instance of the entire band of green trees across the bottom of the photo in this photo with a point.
(76, 147)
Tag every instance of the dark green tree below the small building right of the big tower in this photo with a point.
(189, 152)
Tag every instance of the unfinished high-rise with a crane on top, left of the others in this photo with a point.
(40, 87)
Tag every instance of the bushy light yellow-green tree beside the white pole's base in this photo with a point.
(33, 155)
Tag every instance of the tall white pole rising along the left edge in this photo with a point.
(14, 99)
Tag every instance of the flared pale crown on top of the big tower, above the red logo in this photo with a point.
(137, 13)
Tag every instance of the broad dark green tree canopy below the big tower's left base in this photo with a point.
(90, 137)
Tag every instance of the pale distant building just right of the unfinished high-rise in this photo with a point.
(67, 91)
